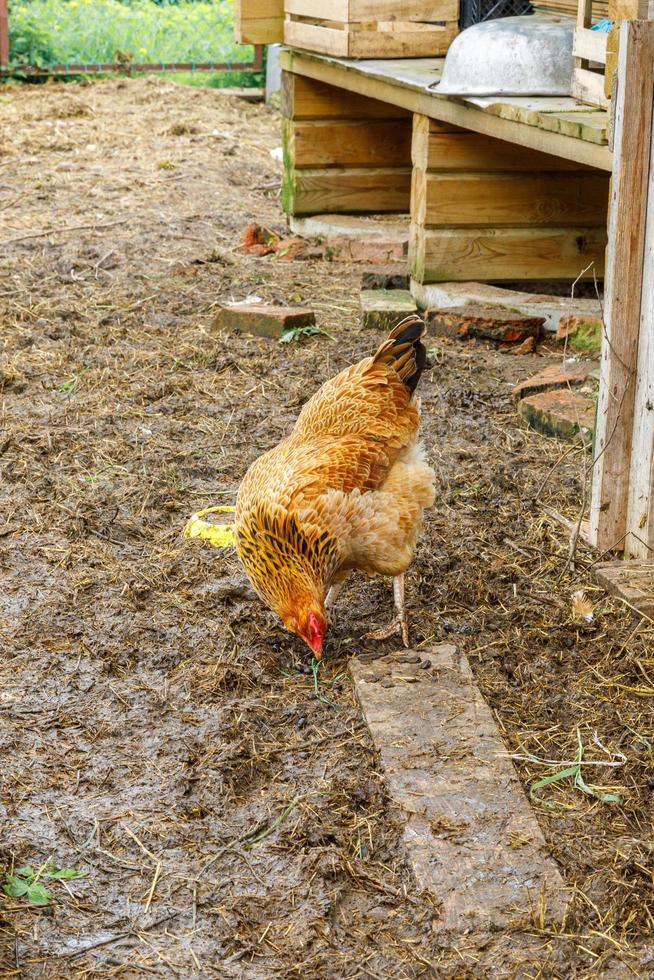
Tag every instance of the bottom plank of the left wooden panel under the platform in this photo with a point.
(347, 191)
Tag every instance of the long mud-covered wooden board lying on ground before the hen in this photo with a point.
(470, 834)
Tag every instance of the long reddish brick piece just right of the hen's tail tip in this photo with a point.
(485, 323)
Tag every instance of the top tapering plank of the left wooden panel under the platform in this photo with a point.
(306, 98)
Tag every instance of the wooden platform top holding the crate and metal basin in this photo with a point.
(560, 127)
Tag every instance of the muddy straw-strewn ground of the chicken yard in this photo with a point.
(159, 730)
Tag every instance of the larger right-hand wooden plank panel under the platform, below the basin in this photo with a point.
(486, 210)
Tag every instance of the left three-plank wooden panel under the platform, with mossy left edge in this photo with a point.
(343, 153)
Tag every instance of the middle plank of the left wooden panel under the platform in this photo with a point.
(351, 143)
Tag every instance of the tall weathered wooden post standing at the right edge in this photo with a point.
(625, 288)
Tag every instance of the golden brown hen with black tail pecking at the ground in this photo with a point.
(345, 491)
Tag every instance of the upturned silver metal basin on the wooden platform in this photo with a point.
(530, 55)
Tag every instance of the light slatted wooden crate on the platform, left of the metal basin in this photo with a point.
(372, 28)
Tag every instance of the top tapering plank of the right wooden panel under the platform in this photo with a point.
(440, 146)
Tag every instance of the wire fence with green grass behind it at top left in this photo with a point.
(67, 37)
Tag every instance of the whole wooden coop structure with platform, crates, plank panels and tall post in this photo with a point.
(497, 188)
